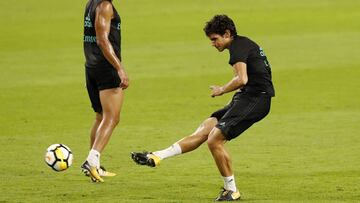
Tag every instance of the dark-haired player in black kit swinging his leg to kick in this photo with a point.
(250, 103)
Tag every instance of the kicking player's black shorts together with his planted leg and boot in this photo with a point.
(245, 111)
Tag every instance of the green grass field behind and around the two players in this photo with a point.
(306, 150)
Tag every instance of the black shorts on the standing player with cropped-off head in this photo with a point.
(99, 79)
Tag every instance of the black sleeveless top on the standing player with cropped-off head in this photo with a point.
(93, 54)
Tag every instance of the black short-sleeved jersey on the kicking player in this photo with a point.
(242, 49)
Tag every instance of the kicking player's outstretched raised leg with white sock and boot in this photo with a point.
(186, 144)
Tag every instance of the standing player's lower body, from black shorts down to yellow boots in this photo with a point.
(99, 84)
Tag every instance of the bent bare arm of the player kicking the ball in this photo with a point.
(239, 80)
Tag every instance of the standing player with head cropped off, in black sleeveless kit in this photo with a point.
(106, 79)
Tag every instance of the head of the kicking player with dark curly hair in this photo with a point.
(220, 30)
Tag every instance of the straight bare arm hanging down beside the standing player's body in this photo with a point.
(104, 14)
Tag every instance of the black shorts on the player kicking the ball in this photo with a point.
(242, 112)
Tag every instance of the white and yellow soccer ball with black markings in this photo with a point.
(58, 157)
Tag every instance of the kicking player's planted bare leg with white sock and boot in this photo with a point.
(216, 142)
